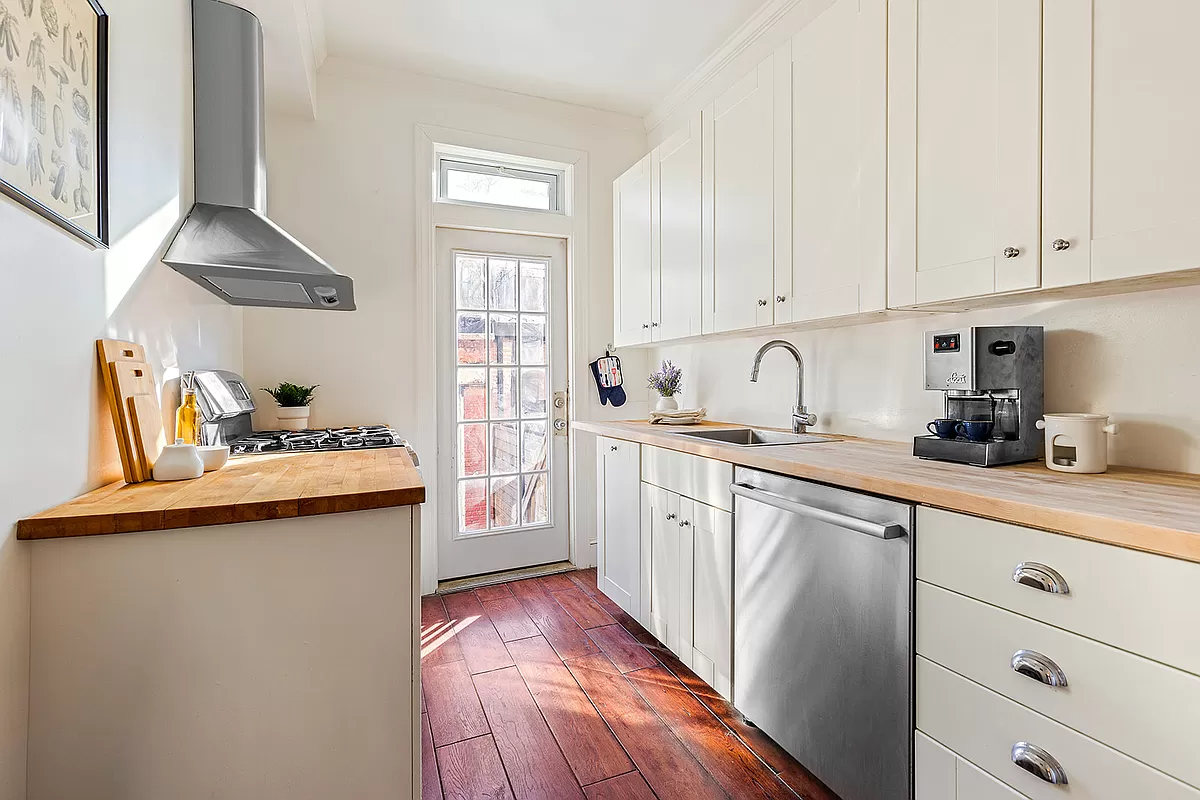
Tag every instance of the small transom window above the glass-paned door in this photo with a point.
(499, 185)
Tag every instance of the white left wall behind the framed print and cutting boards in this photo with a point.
(61, 296)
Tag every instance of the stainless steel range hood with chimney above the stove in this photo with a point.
(227, 244)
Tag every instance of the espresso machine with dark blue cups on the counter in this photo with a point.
(987, 375)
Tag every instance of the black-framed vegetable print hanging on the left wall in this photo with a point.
(53, 112)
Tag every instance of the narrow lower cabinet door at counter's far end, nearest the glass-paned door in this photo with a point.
(619, 528)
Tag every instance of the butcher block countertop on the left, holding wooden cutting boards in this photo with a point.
(249, 489)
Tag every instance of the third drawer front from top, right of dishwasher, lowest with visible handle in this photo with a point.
(983, 727)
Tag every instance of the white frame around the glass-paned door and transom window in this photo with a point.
(571, 226)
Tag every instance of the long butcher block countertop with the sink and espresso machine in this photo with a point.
(1157, 513)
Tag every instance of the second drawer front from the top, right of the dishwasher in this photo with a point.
(1130, 703)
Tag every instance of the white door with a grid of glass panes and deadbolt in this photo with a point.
(502, 374)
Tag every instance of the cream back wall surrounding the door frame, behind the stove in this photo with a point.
(345, 185)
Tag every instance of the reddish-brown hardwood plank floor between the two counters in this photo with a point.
(545, 689)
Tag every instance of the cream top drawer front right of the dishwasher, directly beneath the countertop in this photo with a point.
(1144, 604)
